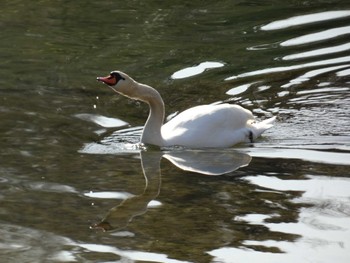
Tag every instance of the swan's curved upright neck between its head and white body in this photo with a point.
(152, 130)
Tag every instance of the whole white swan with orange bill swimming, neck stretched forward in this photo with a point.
(221, 125)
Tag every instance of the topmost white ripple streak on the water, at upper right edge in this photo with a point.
(305, 19)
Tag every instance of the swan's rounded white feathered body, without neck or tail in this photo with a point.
(209, 126)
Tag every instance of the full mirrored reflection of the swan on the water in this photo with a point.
(205, 162)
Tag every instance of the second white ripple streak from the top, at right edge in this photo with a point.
(315, 37)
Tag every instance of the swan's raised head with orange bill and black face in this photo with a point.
(120, 82)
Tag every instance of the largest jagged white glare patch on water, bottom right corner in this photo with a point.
(323, 227)
